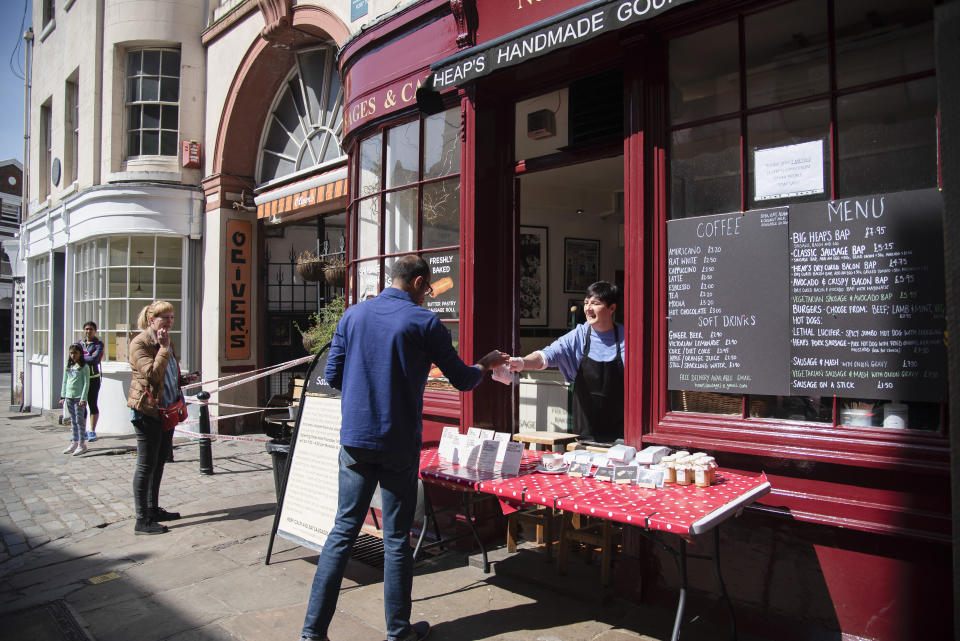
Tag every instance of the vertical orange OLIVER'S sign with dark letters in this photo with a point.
(238, 271)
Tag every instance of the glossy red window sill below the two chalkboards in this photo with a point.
(907, 450)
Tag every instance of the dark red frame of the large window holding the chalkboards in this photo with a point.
(916, 451)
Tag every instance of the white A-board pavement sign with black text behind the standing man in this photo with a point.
(308, 505)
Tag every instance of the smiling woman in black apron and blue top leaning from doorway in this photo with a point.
(591, 357)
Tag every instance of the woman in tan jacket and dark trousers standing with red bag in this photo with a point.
(156, 383)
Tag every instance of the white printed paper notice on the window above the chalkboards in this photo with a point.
(789, 171)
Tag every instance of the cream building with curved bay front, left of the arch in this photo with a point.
(114, 219)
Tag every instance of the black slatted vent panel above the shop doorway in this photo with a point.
(596, 109)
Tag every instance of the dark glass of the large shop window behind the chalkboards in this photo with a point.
(853, 80)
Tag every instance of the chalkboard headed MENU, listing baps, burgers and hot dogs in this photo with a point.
(867, 297)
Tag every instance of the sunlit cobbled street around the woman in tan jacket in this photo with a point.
(46, 495)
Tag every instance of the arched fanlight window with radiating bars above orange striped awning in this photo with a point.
(304, 128)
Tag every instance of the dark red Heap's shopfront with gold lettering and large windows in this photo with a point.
(674, 109)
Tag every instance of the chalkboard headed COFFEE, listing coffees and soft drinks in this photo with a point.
(727, 303)
